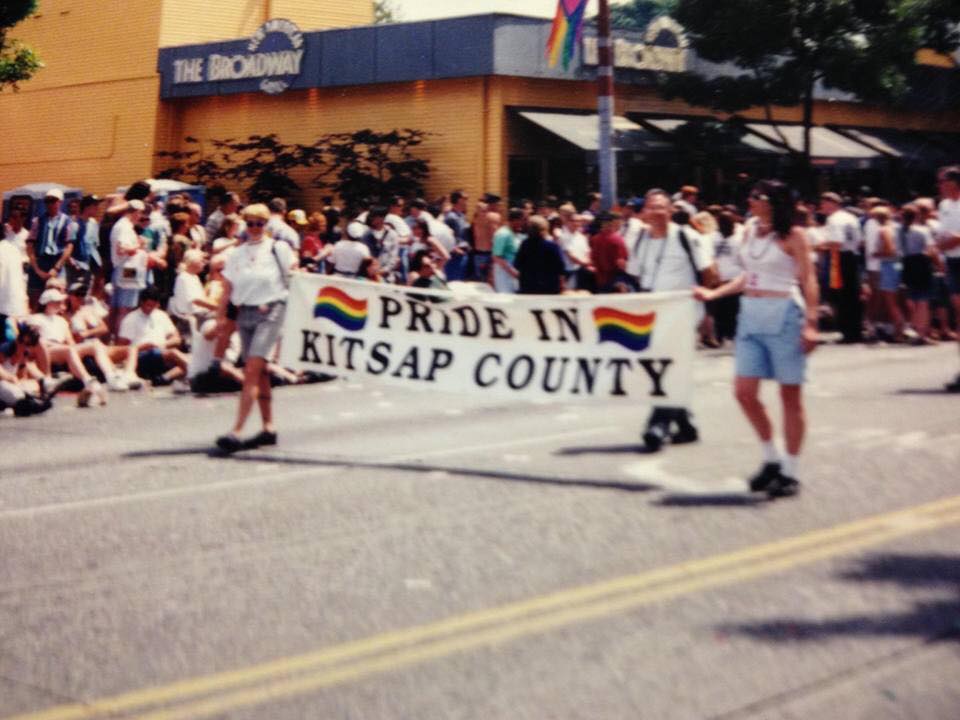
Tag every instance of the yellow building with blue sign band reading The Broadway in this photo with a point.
(120, 87)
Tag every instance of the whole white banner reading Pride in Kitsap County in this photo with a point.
(637, 346)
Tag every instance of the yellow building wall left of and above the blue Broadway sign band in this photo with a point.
(92, 116)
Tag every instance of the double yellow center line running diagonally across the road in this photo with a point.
(392, 650)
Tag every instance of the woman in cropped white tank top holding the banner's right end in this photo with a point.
(776, 327)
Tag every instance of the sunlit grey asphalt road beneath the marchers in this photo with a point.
(415, 555)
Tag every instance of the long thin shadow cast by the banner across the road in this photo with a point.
(419, 468)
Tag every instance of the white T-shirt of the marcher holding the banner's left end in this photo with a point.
(253, 270)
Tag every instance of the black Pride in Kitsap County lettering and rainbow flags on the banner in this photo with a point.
(576, 375)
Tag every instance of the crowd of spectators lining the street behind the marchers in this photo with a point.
(107, 294)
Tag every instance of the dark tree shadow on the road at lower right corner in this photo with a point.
(930, 618)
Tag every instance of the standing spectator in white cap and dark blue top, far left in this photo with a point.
(50, 245)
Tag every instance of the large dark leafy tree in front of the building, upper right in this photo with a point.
(784, 49)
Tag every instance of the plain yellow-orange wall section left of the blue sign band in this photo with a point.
(88, 117)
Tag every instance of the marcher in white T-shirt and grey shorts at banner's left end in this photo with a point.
(256, 278)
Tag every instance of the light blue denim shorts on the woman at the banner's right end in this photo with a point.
(768, 343)
